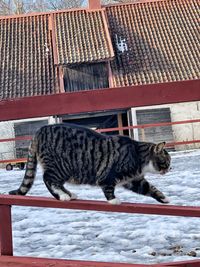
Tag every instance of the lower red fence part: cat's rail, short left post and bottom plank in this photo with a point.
(6, 247)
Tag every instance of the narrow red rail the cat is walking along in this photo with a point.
(100, 206)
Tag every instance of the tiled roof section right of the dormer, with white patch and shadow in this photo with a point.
(155, 41)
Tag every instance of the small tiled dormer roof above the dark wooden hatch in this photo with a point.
(82, 36)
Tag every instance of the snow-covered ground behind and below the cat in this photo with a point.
(115, 237)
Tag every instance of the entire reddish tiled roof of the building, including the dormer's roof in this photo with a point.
(146, 42)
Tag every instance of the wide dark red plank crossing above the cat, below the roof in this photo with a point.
(100, 100)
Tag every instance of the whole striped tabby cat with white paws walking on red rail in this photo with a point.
(75, 154)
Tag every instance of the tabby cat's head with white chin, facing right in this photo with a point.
(159, 160)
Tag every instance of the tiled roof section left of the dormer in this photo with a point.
(26, 58)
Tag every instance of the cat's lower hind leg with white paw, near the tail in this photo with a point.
(55, 185)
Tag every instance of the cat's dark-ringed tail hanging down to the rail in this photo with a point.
(30, 173)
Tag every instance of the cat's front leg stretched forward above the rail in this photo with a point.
(143, 187)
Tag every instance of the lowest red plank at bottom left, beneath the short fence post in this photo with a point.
(41, 262)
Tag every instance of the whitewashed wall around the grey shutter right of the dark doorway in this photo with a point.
(182, 132)
